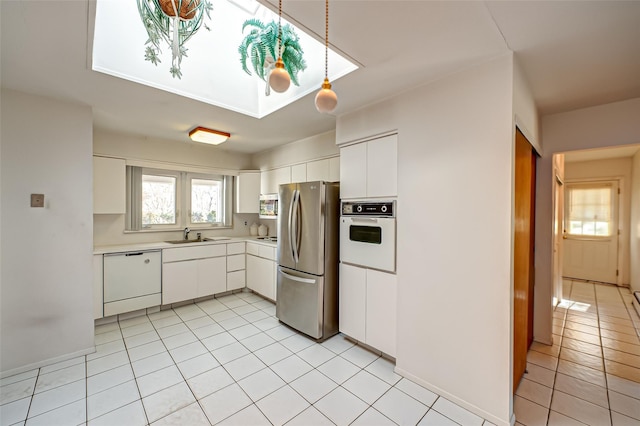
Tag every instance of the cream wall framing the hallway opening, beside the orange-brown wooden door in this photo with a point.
(595, 127)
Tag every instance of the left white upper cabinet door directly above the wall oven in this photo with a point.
(353, 171)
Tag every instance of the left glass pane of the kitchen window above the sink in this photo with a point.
(158, 200)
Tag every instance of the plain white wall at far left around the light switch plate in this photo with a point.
(46, 266)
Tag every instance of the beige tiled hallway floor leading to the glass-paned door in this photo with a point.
(591, 374)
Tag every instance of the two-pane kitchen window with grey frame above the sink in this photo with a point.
(169, 200)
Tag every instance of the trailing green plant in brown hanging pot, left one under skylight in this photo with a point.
(172, 22)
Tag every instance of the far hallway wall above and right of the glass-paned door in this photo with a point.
(605, 169)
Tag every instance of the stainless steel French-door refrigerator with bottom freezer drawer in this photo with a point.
(307, 291)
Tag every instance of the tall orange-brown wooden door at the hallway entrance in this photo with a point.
(523, 278)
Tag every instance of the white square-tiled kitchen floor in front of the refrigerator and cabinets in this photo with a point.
(226, 361)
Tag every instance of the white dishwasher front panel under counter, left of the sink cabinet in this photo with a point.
(132, 274)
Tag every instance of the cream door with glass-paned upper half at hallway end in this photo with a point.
(591, 231)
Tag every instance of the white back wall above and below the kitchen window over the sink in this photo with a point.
(109, 229)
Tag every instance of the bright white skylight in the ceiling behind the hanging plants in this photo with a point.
(211, 70)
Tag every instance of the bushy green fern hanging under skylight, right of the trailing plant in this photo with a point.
(260, 44)
